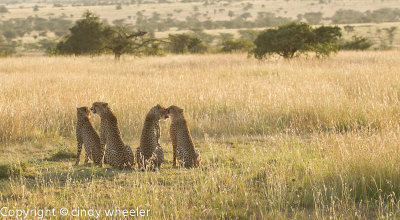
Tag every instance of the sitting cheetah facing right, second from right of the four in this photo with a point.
(149, 154)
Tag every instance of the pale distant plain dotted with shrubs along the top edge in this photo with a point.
(280, 7)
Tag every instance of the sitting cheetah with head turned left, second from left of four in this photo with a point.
(117, 154)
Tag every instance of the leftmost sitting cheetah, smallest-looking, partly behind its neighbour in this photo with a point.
(86, 135)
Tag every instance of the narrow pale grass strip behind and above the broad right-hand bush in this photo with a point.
(263, 19)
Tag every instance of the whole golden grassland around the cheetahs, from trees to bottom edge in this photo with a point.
(279, 138)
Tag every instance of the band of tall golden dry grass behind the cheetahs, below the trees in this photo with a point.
(221, 94)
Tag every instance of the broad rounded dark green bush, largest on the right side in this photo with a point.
(296, 38)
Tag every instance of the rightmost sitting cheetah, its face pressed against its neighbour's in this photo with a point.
(182, 143)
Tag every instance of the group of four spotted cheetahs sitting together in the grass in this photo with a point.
(109, 148)
